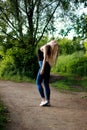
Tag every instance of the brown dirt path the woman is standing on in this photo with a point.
(68, 111)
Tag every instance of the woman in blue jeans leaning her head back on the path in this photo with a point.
(47, 55)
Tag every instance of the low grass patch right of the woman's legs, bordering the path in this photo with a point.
(71, 83)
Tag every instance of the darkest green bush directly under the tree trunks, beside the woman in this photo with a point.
(26, 61)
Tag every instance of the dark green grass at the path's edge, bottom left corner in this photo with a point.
(3, 116)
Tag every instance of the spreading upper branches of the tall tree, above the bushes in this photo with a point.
(32, 17)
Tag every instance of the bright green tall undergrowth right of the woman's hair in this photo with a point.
(74, 64)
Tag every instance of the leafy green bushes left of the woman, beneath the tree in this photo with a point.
(19, 61)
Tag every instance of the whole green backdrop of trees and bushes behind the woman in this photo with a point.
(25, 25)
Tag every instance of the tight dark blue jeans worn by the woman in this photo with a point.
(44, 78)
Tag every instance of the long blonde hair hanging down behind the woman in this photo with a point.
(52, 53)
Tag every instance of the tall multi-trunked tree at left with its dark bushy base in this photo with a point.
(24, 22)
